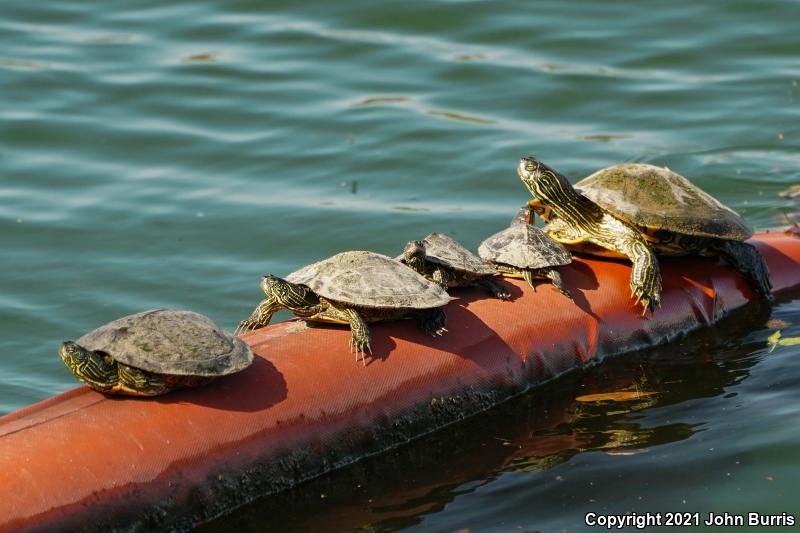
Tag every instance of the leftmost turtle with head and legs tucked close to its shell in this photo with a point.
(153, 352)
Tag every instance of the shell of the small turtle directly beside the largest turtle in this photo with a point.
(524, 246)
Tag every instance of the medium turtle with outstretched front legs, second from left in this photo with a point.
(353, 288)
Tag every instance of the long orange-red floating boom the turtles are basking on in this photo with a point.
(305, 408)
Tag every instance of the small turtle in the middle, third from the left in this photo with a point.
(443, 260)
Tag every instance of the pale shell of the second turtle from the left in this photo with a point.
(367, 279)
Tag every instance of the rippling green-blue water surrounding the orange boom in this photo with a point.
(169, 154)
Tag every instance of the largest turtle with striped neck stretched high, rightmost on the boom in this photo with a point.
(638, 211)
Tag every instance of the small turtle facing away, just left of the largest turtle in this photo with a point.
(524, 251)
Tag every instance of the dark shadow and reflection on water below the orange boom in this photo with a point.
(534, 434)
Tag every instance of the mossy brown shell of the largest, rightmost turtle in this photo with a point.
(658, 199)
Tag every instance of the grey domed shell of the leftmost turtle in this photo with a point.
(170, 341)
